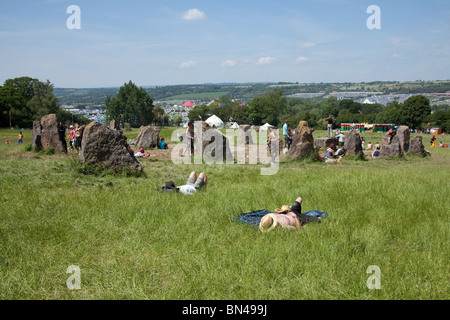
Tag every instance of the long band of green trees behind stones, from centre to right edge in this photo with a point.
(274, 108)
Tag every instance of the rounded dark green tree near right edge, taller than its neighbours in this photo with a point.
(414, 111)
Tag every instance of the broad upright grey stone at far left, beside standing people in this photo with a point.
(52, 134)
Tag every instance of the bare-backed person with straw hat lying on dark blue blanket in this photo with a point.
(287, 217)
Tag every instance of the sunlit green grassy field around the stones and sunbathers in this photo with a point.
(131, 242)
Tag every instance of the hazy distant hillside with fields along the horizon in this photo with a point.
(248, 91)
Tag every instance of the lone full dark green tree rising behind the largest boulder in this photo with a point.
(132, 105)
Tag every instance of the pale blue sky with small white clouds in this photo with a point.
(190, 42)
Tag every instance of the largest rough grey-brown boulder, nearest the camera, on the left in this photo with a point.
(108, 148)
